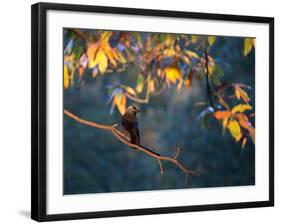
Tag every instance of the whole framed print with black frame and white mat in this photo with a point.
(138, 111)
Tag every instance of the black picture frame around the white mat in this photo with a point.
(39, 122)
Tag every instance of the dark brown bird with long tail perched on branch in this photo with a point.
(129, 123)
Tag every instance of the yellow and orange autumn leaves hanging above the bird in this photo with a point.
(160, 61)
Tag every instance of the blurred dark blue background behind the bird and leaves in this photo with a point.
(95, 161)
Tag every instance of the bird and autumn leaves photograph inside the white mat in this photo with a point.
(152, 111)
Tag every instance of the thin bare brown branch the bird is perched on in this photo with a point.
(126, 140)
